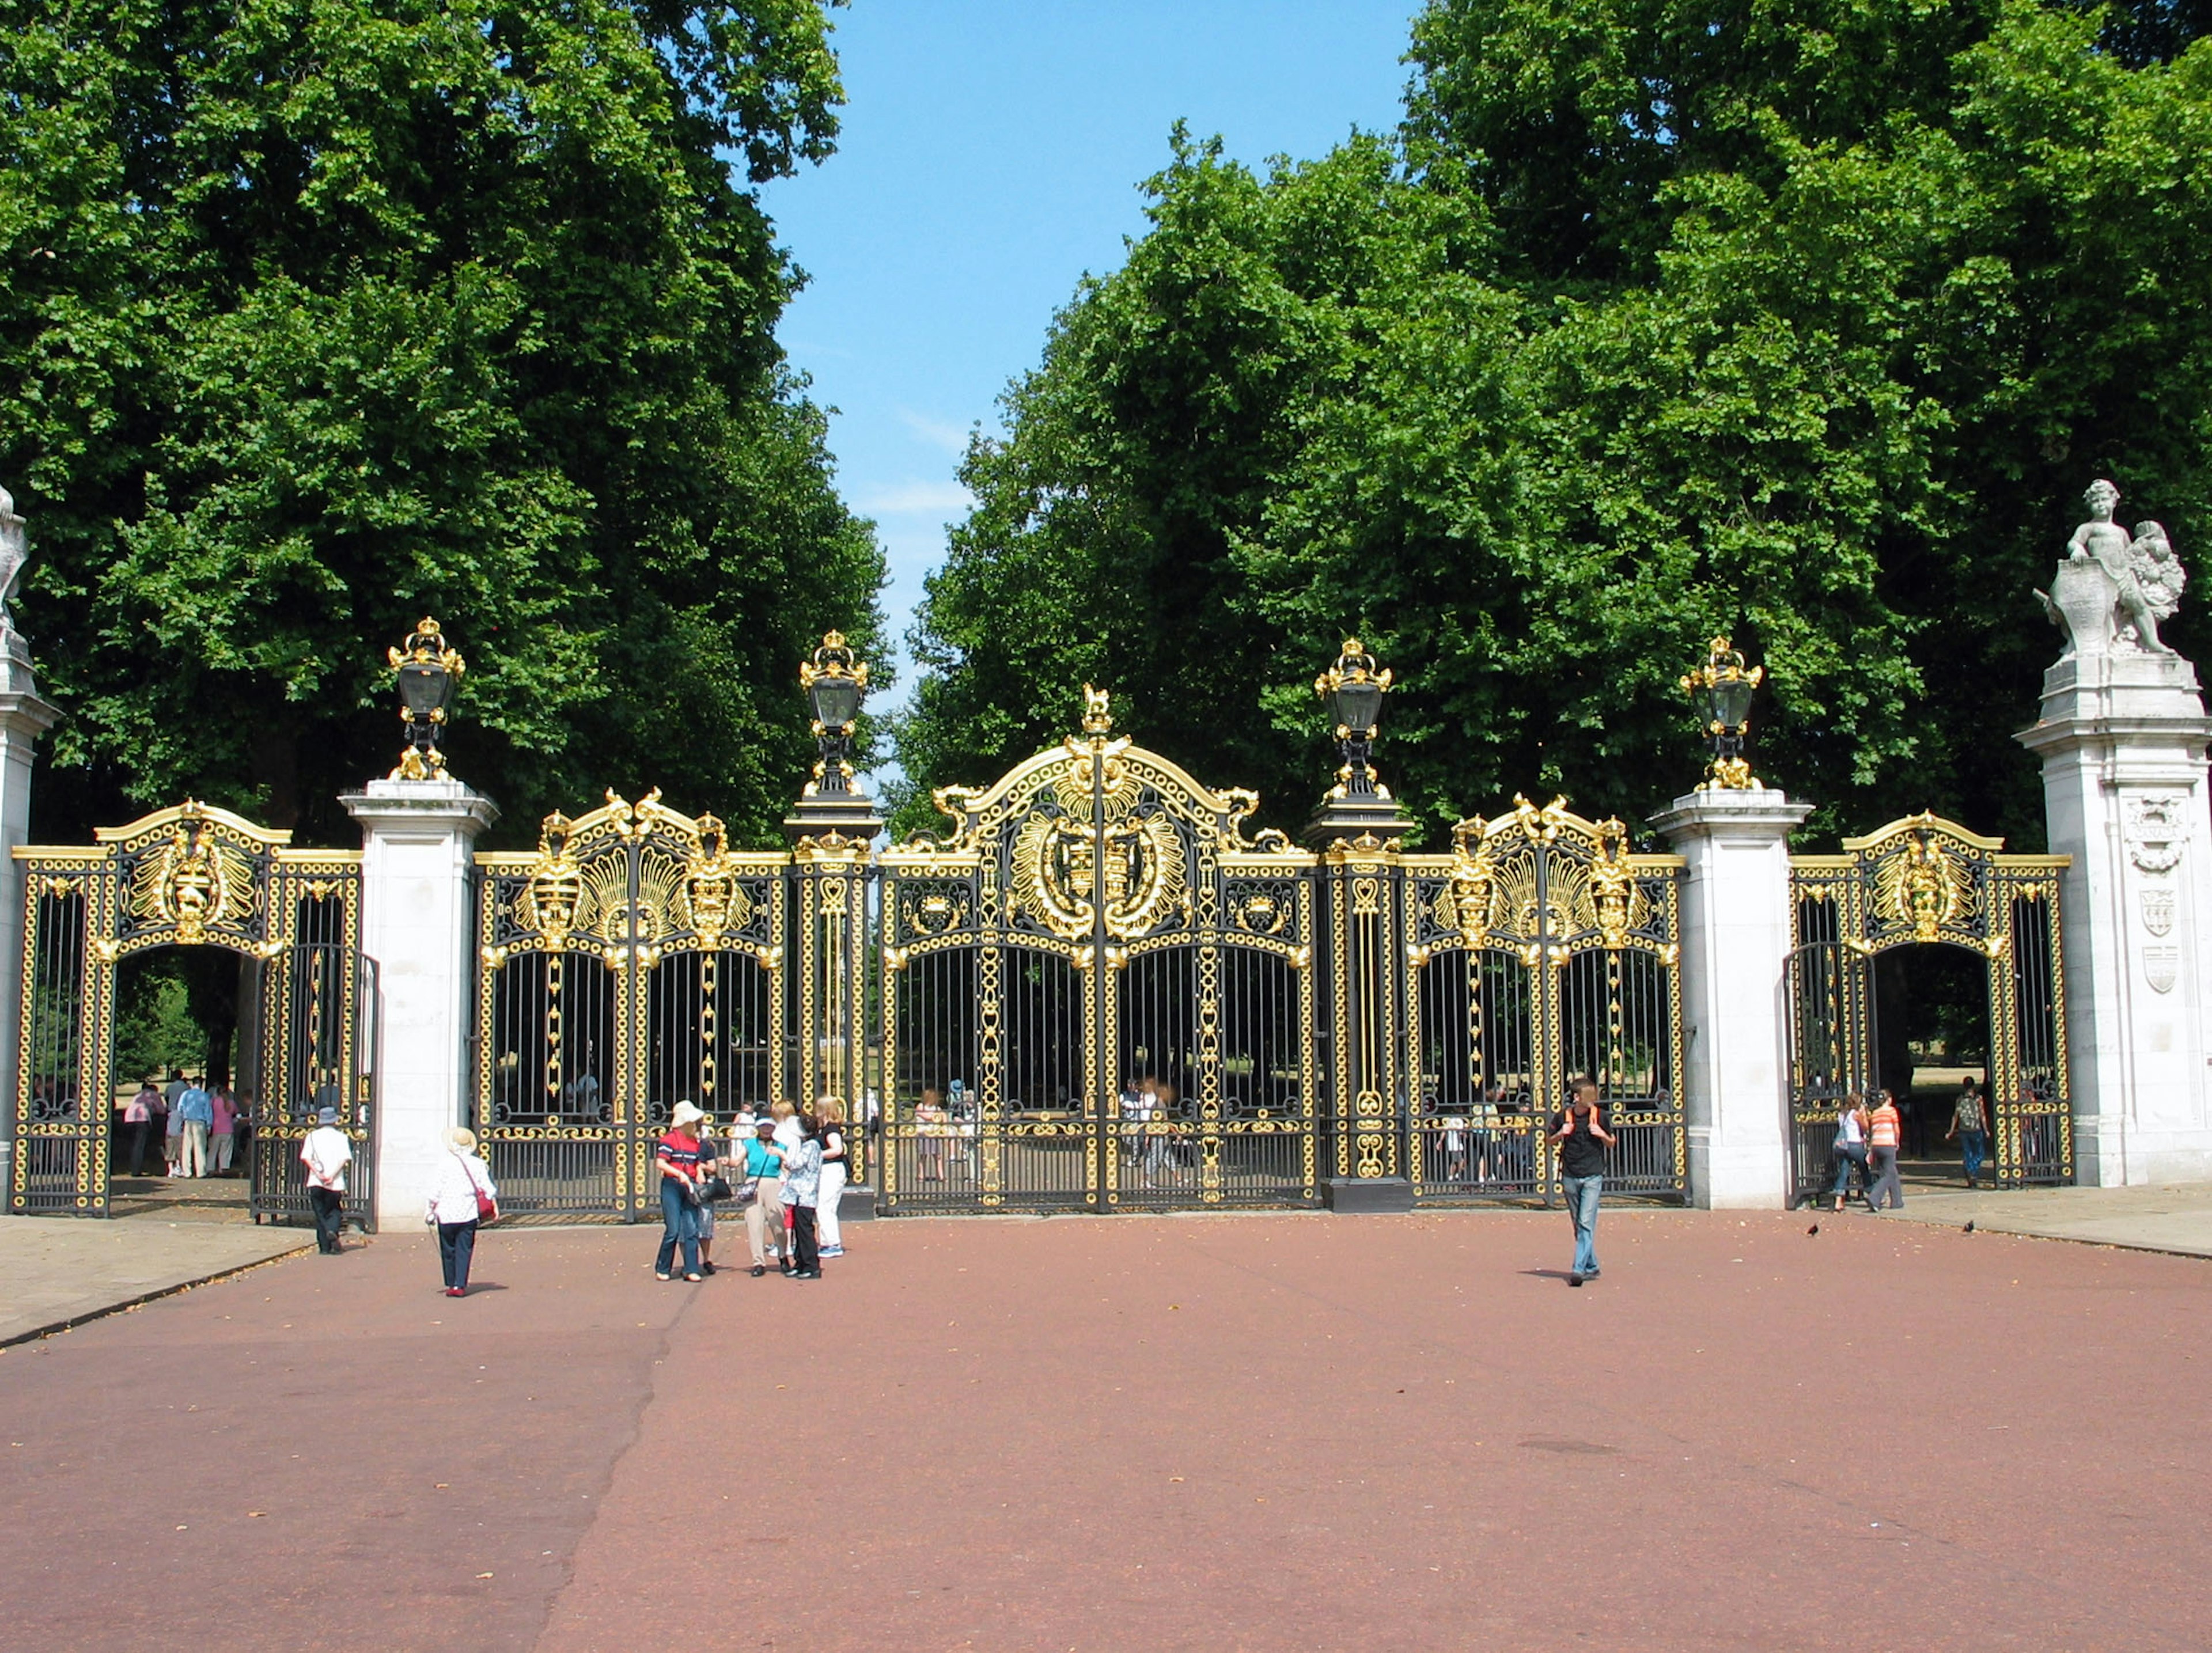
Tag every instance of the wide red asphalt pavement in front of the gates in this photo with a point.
(1136, 1433)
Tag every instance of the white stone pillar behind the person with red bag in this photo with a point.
(419, 926)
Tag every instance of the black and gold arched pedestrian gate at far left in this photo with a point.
(194, 877)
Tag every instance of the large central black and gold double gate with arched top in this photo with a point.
(1096, 995)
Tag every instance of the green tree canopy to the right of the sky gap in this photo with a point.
(1797, 322)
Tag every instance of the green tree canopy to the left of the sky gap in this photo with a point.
(326, 315)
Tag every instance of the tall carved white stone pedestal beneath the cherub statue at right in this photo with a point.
(2122, 740)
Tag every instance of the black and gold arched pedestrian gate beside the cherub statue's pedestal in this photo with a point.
(1928, 882)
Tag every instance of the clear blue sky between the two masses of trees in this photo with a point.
(990, 156)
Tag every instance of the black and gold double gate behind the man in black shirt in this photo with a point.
(1543, 950)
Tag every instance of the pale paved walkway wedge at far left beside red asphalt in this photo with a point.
(63, 1271)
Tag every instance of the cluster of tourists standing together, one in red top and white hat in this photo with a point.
(782, 1169)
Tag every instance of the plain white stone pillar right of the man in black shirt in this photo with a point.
(1735, 953)
